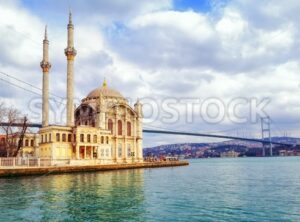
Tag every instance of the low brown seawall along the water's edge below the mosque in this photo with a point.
(14, 172)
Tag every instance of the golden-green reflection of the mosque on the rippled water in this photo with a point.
(108, 196)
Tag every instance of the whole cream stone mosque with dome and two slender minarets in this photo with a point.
(103, 129)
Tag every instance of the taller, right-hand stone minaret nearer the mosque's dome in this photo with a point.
(70, 52)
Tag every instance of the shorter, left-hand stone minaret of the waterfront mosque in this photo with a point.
(45, 65)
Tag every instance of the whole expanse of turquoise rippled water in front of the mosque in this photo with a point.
(244, 189)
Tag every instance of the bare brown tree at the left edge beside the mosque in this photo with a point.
(14, 127)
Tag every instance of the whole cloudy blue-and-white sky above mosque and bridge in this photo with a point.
(231, 61)
